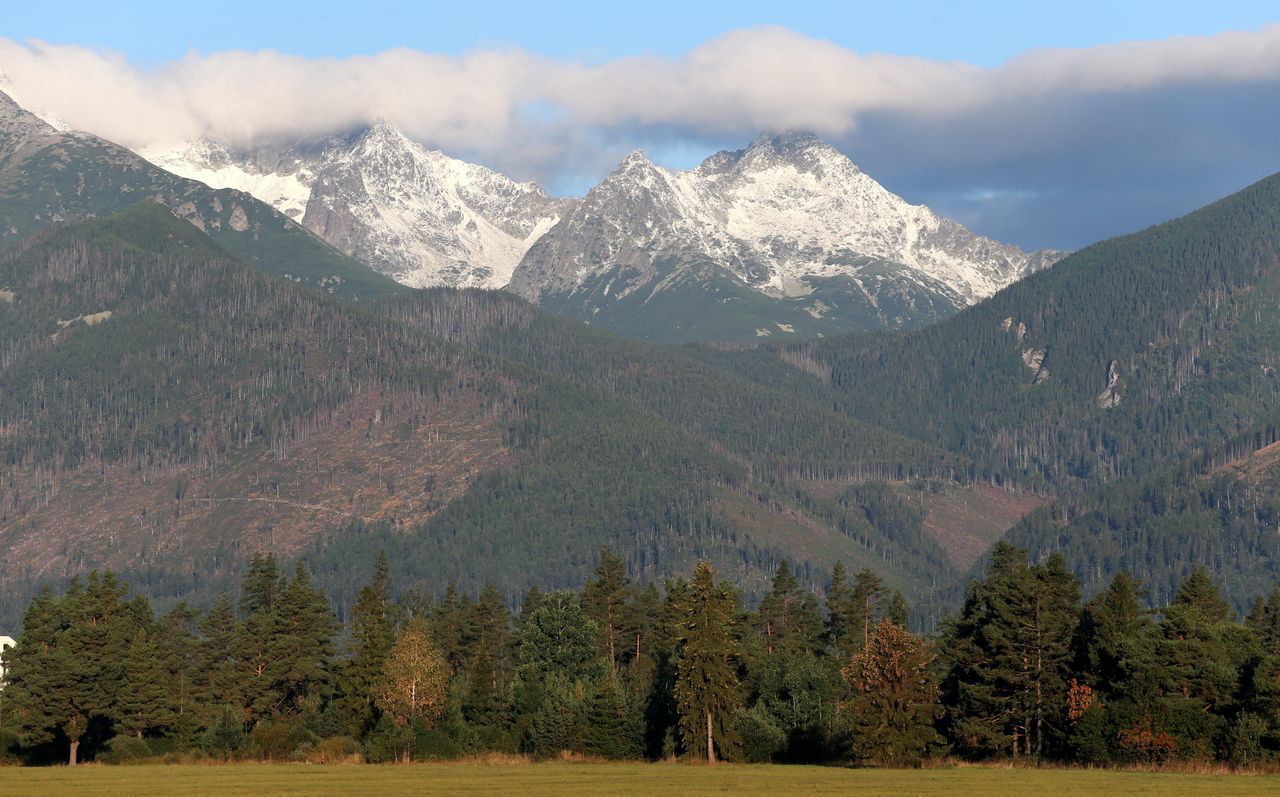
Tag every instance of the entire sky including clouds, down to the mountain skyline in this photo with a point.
(1041, 125)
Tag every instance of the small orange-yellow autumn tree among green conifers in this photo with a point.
(415, 681)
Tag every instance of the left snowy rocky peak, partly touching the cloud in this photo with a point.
(414, 214)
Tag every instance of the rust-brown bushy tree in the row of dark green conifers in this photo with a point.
(895, 698)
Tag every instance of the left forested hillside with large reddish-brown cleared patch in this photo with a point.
(170, 411)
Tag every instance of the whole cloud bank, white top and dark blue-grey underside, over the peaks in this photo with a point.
(1000, 148)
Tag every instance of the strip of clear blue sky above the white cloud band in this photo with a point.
(984, 34)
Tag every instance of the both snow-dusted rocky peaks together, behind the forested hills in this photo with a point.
(787, 239)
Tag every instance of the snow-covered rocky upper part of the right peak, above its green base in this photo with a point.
(783, 216)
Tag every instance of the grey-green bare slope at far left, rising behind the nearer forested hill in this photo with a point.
(51, 176)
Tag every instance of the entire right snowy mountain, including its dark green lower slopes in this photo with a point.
(784, 239)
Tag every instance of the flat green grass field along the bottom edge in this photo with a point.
(560, 778)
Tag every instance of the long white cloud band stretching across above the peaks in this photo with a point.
(742, 83)
